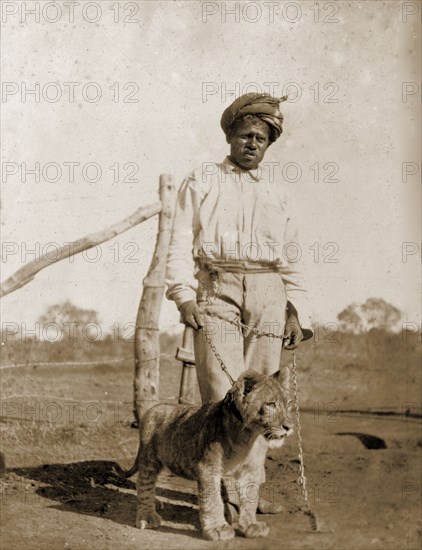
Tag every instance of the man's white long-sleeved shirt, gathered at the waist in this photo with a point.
(227, 214)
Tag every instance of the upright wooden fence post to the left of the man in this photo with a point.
(147, 344)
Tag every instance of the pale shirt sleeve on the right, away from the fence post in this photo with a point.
(293, 271)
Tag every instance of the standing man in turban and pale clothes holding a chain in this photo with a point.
(234, 254)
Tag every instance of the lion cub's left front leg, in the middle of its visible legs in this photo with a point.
(211, 507)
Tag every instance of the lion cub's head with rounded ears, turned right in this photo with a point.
(261, 403)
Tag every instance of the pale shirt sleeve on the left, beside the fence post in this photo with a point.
(180, 270)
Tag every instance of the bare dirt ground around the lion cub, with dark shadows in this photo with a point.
(66, 430)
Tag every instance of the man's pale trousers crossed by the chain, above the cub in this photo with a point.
(256, 299)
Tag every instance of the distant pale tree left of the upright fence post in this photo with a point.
(65, 320)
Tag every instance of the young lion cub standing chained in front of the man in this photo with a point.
(230, 437)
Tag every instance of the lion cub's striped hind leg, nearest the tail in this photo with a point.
(147, 517)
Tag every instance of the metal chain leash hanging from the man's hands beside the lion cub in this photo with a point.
(302, 481)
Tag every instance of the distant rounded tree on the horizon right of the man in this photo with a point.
(374, 313)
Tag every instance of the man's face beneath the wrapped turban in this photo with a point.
(249, 143)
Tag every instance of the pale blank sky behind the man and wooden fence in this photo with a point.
(125, 92)
